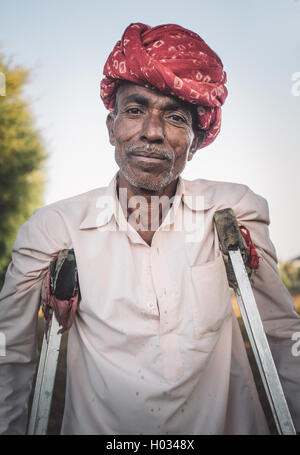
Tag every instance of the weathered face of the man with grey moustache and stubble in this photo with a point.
(153, 136)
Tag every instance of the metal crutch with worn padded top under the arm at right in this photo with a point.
(232, 246)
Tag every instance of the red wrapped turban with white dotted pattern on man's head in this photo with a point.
(174, 60)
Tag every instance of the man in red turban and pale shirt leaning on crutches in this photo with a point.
(154, 347)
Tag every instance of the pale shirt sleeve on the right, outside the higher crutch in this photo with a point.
(275, 304)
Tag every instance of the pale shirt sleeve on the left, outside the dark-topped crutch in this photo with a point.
(38, 242)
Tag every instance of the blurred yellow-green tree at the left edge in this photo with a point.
(22, 156)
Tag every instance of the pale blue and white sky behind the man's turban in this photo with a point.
(65, 44)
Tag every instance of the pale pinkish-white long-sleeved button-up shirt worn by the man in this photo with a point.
(155, 347)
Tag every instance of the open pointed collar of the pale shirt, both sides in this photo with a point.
(104, 203)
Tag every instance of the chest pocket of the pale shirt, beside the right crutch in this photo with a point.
(210, 297)
